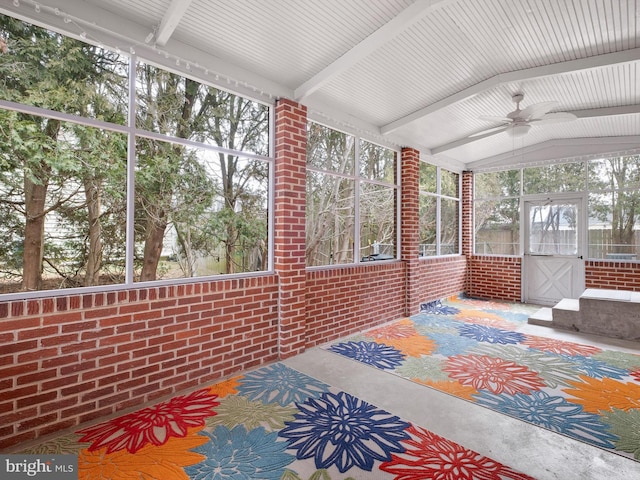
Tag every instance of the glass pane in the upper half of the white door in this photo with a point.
(553, 228)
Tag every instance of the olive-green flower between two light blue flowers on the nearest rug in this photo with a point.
(238, 410)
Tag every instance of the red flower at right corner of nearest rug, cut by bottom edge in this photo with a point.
(431, 456)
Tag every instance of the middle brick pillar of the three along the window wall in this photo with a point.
(410, 215)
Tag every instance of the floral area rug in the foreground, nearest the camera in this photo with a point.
(273, 423)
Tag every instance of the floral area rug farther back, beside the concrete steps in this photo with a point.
(471, 349)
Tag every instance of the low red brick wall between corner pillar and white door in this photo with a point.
(495, 277)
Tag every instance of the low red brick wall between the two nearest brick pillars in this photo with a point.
(345, 300)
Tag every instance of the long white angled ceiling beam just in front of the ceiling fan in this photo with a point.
(559, 68)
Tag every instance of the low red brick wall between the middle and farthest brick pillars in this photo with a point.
(441, 277)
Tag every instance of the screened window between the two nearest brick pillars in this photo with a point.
(351, 199)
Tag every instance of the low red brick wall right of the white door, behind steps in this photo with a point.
(612, 275)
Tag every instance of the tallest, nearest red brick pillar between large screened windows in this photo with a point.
(289, 232)
